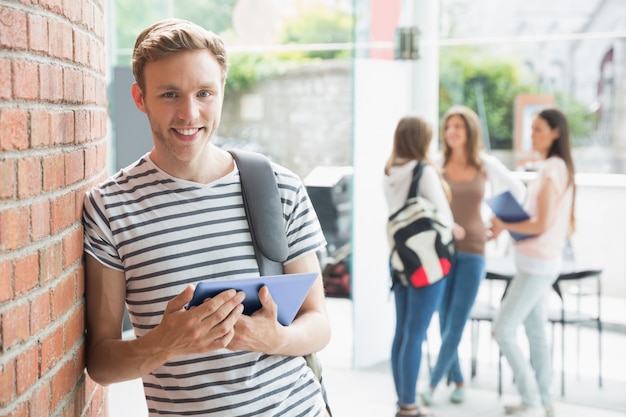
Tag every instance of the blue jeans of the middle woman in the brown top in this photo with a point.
(463, 281)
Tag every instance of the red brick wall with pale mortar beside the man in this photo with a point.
(52, 148)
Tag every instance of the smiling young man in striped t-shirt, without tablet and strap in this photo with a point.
(175, 218)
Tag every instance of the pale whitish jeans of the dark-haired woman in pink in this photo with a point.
(525, 302)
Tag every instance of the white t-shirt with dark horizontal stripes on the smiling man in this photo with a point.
(165, 233)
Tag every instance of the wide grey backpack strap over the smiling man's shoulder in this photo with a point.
(264, 212)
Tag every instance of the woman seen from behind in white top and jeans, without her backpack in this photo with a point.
(414, 306)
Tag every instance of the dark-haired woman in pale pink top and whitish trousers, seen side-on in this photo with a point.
(550, 204)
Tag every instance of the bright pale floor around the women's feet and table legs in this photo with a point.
(370, 393)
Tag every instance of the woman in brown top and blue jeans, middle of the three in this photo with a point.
(472, 175)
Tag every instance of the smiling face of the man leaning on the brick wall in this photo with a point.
(182, 98)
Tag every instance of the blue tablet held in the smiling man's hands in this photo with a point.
(288, 292)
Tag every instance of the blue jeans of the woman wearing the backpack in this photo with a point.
(414, 310)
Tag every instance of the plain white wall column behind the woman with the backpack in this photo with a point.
(384, 92)
